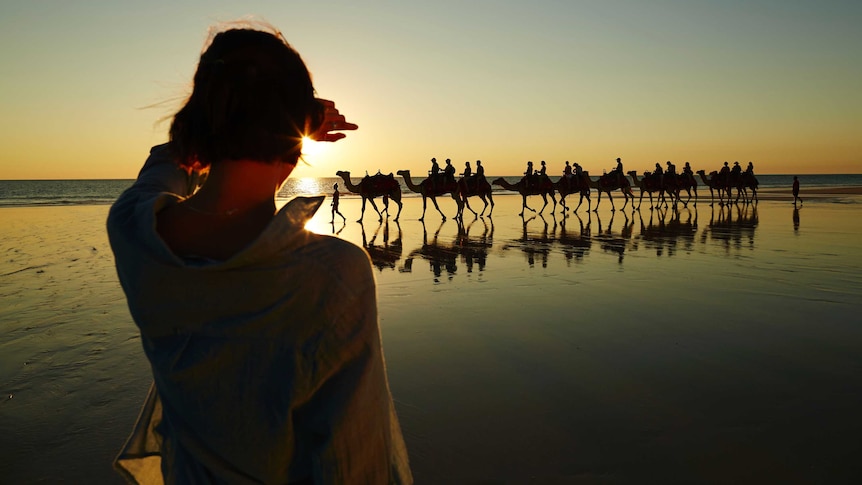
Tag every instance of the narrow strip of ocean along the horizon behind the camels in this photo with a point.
(23, 193)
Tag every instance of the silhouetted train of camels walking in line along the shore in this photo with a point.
(667, 189)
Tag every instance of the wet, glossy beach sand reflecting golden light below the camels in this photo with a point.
(709, 345)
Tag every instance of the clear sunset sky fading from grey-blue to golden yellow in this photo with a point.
(777, 82)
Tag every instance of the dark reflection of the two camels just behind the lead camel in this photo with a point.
(473, 251)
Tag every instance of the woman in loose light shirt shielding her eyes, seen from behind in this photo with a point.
(262, 337)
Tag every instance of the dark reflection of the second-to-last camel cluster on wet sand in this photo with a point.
(666, 231)
